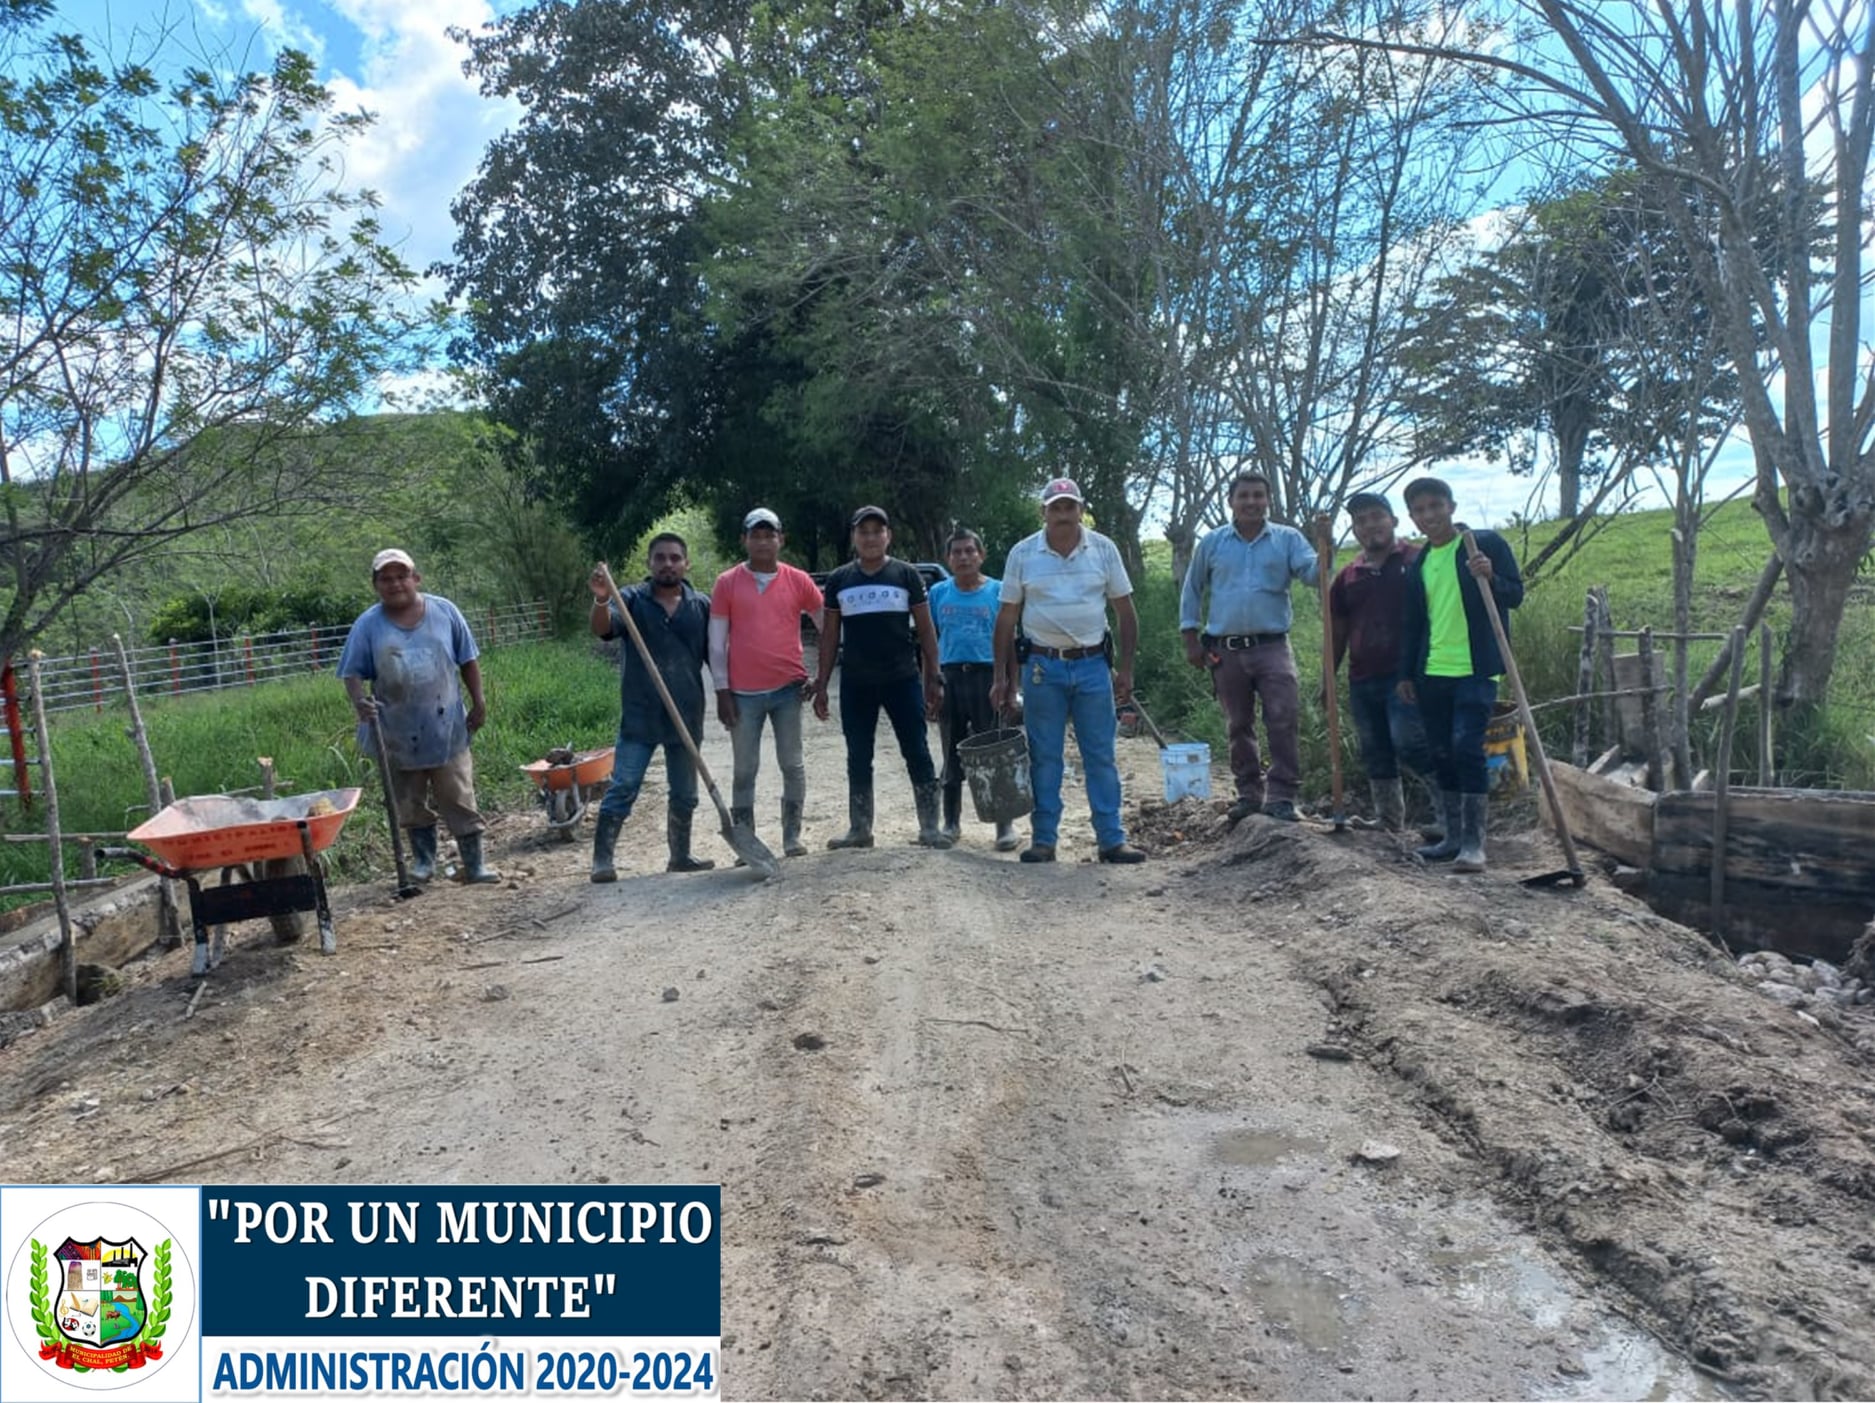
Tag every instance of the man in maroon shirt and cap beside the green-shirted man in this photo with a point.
(1368, 607)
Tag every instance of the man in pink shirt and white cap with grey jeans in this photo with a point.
(755, 656)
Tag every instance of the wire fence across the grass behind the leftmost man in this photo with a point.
(93, 680)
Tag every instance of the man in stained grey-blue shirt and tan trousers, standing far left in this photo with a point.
(419, 656)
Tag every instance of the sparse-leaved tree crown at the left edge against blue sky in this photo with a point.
(181, 262)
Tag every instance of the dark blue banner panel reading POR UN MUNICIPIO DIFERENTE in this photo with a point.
(460, 1261)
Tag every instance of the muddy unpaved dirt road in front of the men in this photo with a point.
(1006, 1132)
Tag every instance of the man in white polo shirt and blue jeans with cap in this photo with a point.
(1060, 584)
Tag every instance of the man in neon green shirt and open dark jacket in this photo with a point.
(1450, 661)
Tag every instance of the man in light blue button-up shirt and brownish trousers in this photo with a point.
(1235, 618)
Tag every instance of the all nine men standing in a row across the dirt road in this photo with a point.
(1055, 637)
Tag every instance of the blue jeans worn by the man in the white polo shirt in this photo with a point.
(1055, 693)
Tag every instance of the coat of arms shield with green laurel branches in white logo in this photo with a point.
(102, 1305)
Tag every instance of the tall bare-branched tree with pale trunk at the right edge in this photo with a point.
(1724, 108)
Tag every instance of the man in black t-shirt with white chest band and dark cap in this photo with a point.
(880, 629)
